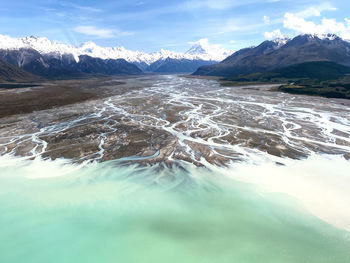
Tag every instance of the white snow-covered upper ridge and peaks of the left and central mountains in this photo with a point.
(201, 50)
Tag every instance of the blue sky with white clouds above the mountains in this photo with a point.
(149, 25)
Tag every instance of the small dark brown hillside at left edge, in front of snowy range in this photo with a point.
(10, 73)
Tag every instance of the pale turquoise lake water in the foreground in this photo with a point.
(110, 212)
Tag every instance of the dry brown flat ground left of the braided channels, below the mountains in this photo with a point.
(47, 95)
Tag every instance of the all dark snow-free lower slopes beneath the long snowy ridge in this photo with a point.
(65, 66)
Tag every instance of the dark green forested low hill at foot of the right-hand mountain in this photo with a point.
(320, 78)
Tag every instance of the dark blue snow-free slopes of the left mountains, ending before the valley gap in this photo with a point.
(53, 66)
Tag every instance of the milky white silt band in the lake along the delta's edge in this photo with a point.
(316, 189)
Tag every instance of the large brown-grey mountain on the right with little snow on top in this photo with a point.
(269, 56)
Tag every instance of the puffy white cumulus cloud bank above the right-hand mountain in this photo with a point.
(302, 26)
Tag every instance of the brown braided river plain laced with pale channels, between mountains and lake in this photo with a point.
(105, 119)
